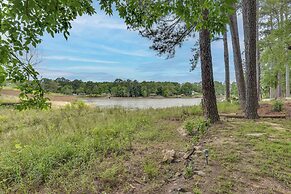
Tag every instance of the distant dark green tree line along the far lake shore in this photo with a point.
(127, 88)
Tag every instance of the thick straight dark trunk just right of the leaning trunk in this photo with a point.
(251, 92)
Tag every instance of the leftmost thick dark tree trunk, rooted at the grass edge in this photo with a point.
(208, 90)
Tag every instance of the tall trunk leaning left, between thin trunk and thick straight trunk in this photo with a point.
(238, 66)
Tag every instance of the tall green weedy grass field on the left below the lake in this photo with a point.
(48, 151)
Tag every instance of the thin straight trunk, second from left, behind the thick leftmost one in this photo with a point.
(226, 65)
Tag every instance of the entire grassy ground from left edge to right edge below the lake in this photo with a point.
(78, 149)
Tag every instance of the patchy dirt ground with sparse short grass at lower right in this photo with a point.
(239, 160)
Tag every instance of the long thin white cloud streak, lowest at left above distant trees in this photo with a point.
(78, 59)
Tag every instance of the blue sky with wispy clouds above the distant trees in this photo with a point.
(100, 48)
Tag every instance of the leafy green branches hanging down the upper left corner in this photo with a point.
(22, 24)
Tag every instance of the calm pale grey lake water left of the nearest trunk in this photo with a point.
(143, 103)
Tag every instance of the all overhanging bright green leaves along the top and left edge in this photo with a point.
(23, 23)
